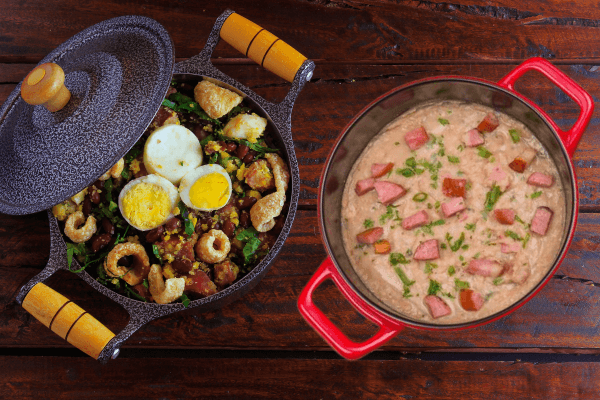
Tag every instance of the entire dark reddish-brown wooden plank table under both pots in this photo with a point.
(259, 346)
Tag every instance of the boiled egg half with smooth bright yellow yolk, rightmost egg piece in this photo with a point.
(206, 188)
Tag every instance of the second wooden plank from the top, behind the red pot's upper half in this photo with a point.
(338, 92)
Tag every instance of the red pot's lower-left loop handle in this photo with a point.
(388, 327)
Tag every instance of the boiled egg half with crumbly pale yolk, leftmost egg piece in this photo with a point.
(147, 202)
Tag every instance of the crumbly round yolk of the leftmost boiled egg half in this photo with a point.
(146, 205)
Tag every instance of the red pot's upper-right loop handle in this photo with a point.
(571, 137)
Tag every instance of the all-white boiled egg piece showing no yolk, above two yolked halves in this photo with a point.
(172, 151)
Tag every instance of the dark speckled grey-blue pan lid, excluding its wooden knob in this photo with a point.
(118, 73)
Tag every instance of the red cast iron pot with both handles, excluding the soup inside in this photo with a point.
(367, 124)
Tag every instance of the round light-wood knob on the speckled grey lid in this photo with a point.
(45, 85)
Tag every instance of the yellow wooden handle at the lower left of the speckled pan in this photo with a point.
(67, 320)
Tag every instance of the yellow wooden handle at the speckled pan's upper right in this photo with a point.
(262, 47)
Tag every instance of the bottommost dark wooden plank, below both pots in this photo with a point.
(225, 378)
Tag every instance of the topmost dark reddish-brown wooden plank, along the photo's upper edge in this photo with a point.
(343, 29)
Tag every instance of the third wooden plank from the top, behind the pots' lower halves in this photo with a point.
(562, 317)
